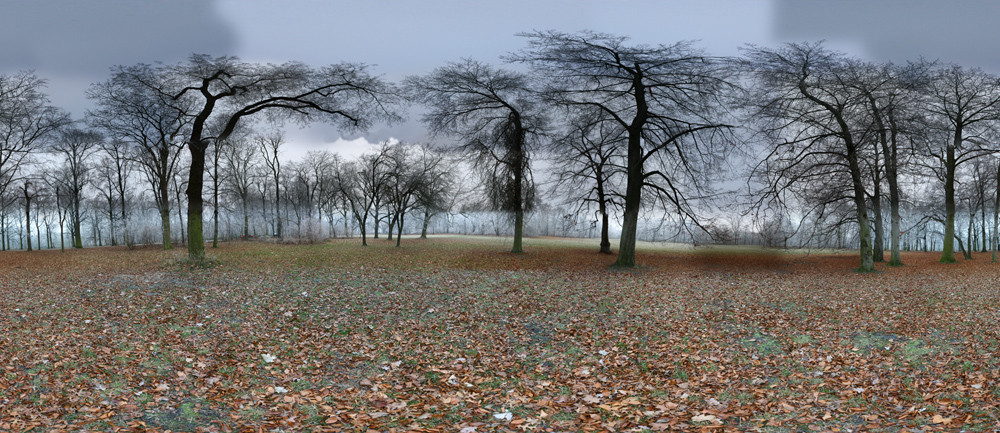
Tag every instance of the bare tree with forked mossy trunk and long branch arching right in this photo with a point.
(223, 91)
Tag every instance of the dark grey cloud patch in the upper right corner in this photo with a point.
(963, 32)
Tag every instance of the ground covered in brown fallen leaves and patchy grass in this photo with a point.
(454, 334)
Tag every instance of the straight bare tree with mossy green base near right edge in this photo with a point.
(962, 105)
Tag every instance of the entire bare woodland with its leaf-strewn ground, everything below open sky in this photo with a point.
(601, 236)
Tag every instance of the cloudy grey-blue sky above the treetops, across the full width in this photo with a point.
(72, 43)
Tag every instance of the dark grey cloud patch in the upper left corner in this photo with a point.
(75, 38)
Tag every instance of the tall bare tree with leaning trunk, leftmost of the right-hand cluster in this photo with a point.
(804, 101)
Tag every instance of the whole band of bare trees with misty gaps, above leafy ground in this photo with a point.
(575, 134)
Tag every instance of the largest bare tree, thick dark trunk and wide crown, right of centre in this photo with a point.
(668, 100)
